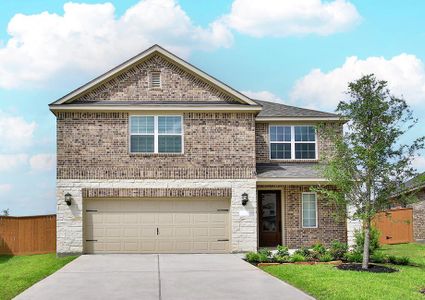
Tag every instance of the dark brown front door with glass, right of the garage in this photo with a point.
(270, 230)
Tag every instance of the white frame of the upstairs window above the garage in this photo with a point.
(156, 134)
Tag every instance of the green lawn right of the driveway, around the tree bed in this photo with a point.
(327, 282)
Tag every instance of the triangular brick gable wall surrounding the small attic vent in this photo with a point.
(176, 85)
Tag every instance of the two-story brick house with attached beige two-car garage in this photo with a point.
(157, 156)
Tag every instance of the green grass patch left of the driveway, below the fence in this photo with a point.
(18, 273)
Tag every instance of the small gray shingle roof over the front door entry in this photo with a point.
(288, 170)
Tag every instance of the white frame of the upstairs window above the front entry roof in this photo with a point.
(293, 143)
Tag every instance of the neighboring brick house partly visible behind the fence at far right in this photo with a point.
(416, 186)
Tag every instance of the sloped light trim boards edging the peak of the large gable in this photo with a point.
(143, 55)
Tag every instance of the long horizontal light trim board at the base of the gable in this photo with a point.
(158, 107)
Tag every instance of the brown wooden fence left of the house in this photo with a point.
(28, 235)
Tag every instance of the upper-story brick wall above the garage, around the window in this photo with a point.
(96, 146)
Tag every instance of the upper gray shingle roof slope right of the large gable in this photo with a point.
(273, 109)
